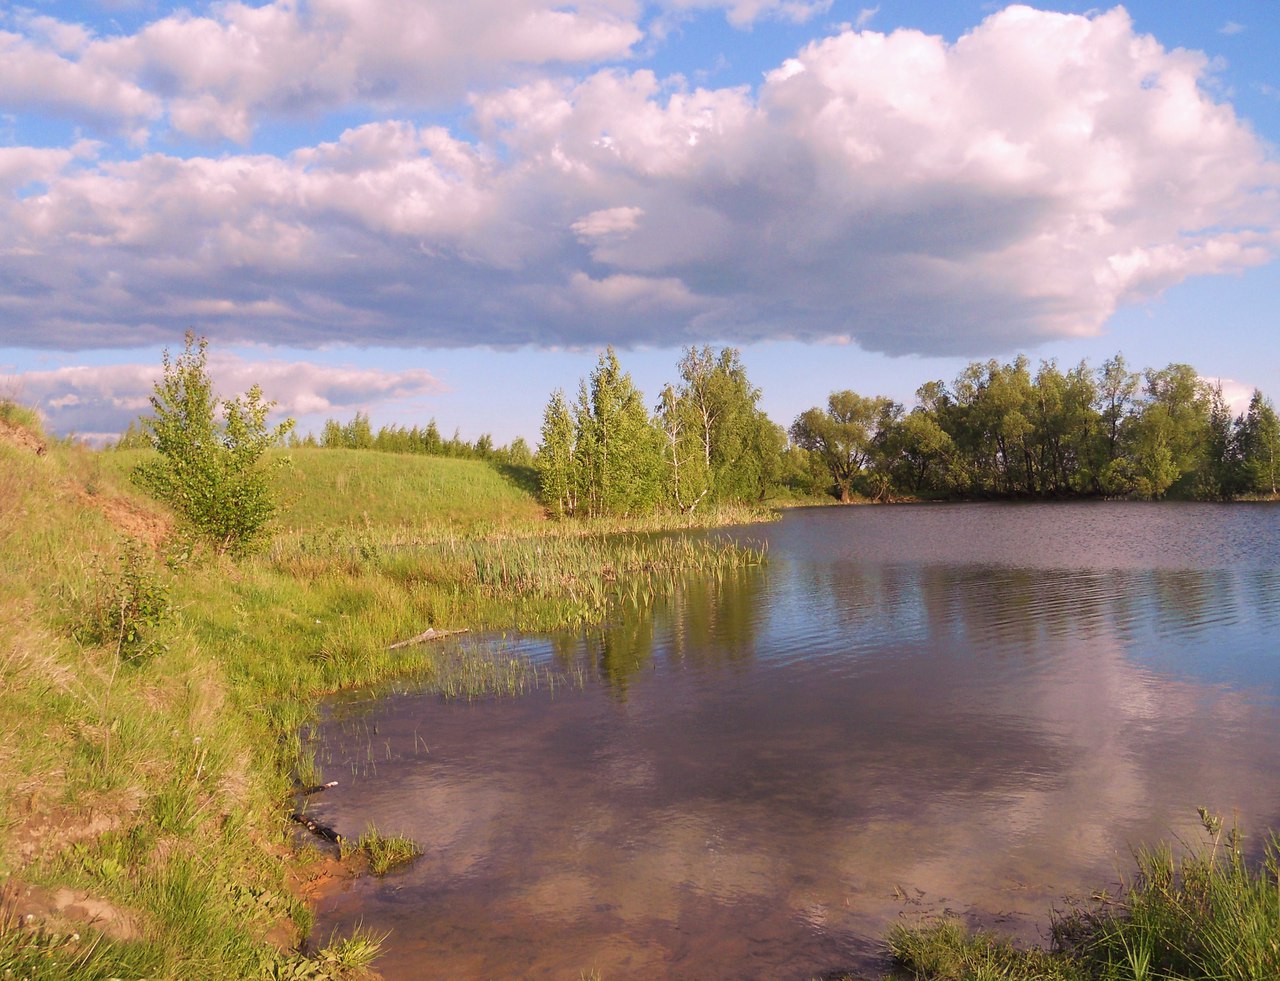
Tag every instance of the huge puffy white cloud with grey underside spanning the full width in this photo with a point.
(898, 191)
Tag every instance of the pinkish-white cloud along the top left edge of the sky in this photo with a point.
(217, 75)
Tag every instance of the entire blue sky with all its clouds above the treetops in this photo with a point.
(427, 209)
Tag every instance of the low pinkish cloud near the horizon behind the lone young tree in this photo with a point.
(102, 401)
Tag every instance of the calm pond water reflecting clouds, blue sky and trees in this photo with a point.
(908, 711)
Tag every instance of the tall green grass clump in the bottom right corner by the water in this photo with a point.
(1205, 914)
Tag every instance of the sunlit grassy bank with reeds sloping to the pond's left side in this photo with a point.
(154, 693)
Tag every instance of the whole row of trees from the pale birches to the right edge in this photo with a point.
(999, 431)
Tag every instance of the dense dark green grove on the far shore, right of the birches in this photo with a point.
(1005, 431)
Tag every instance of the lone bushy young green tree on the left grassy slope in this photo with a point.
(211, 453)
